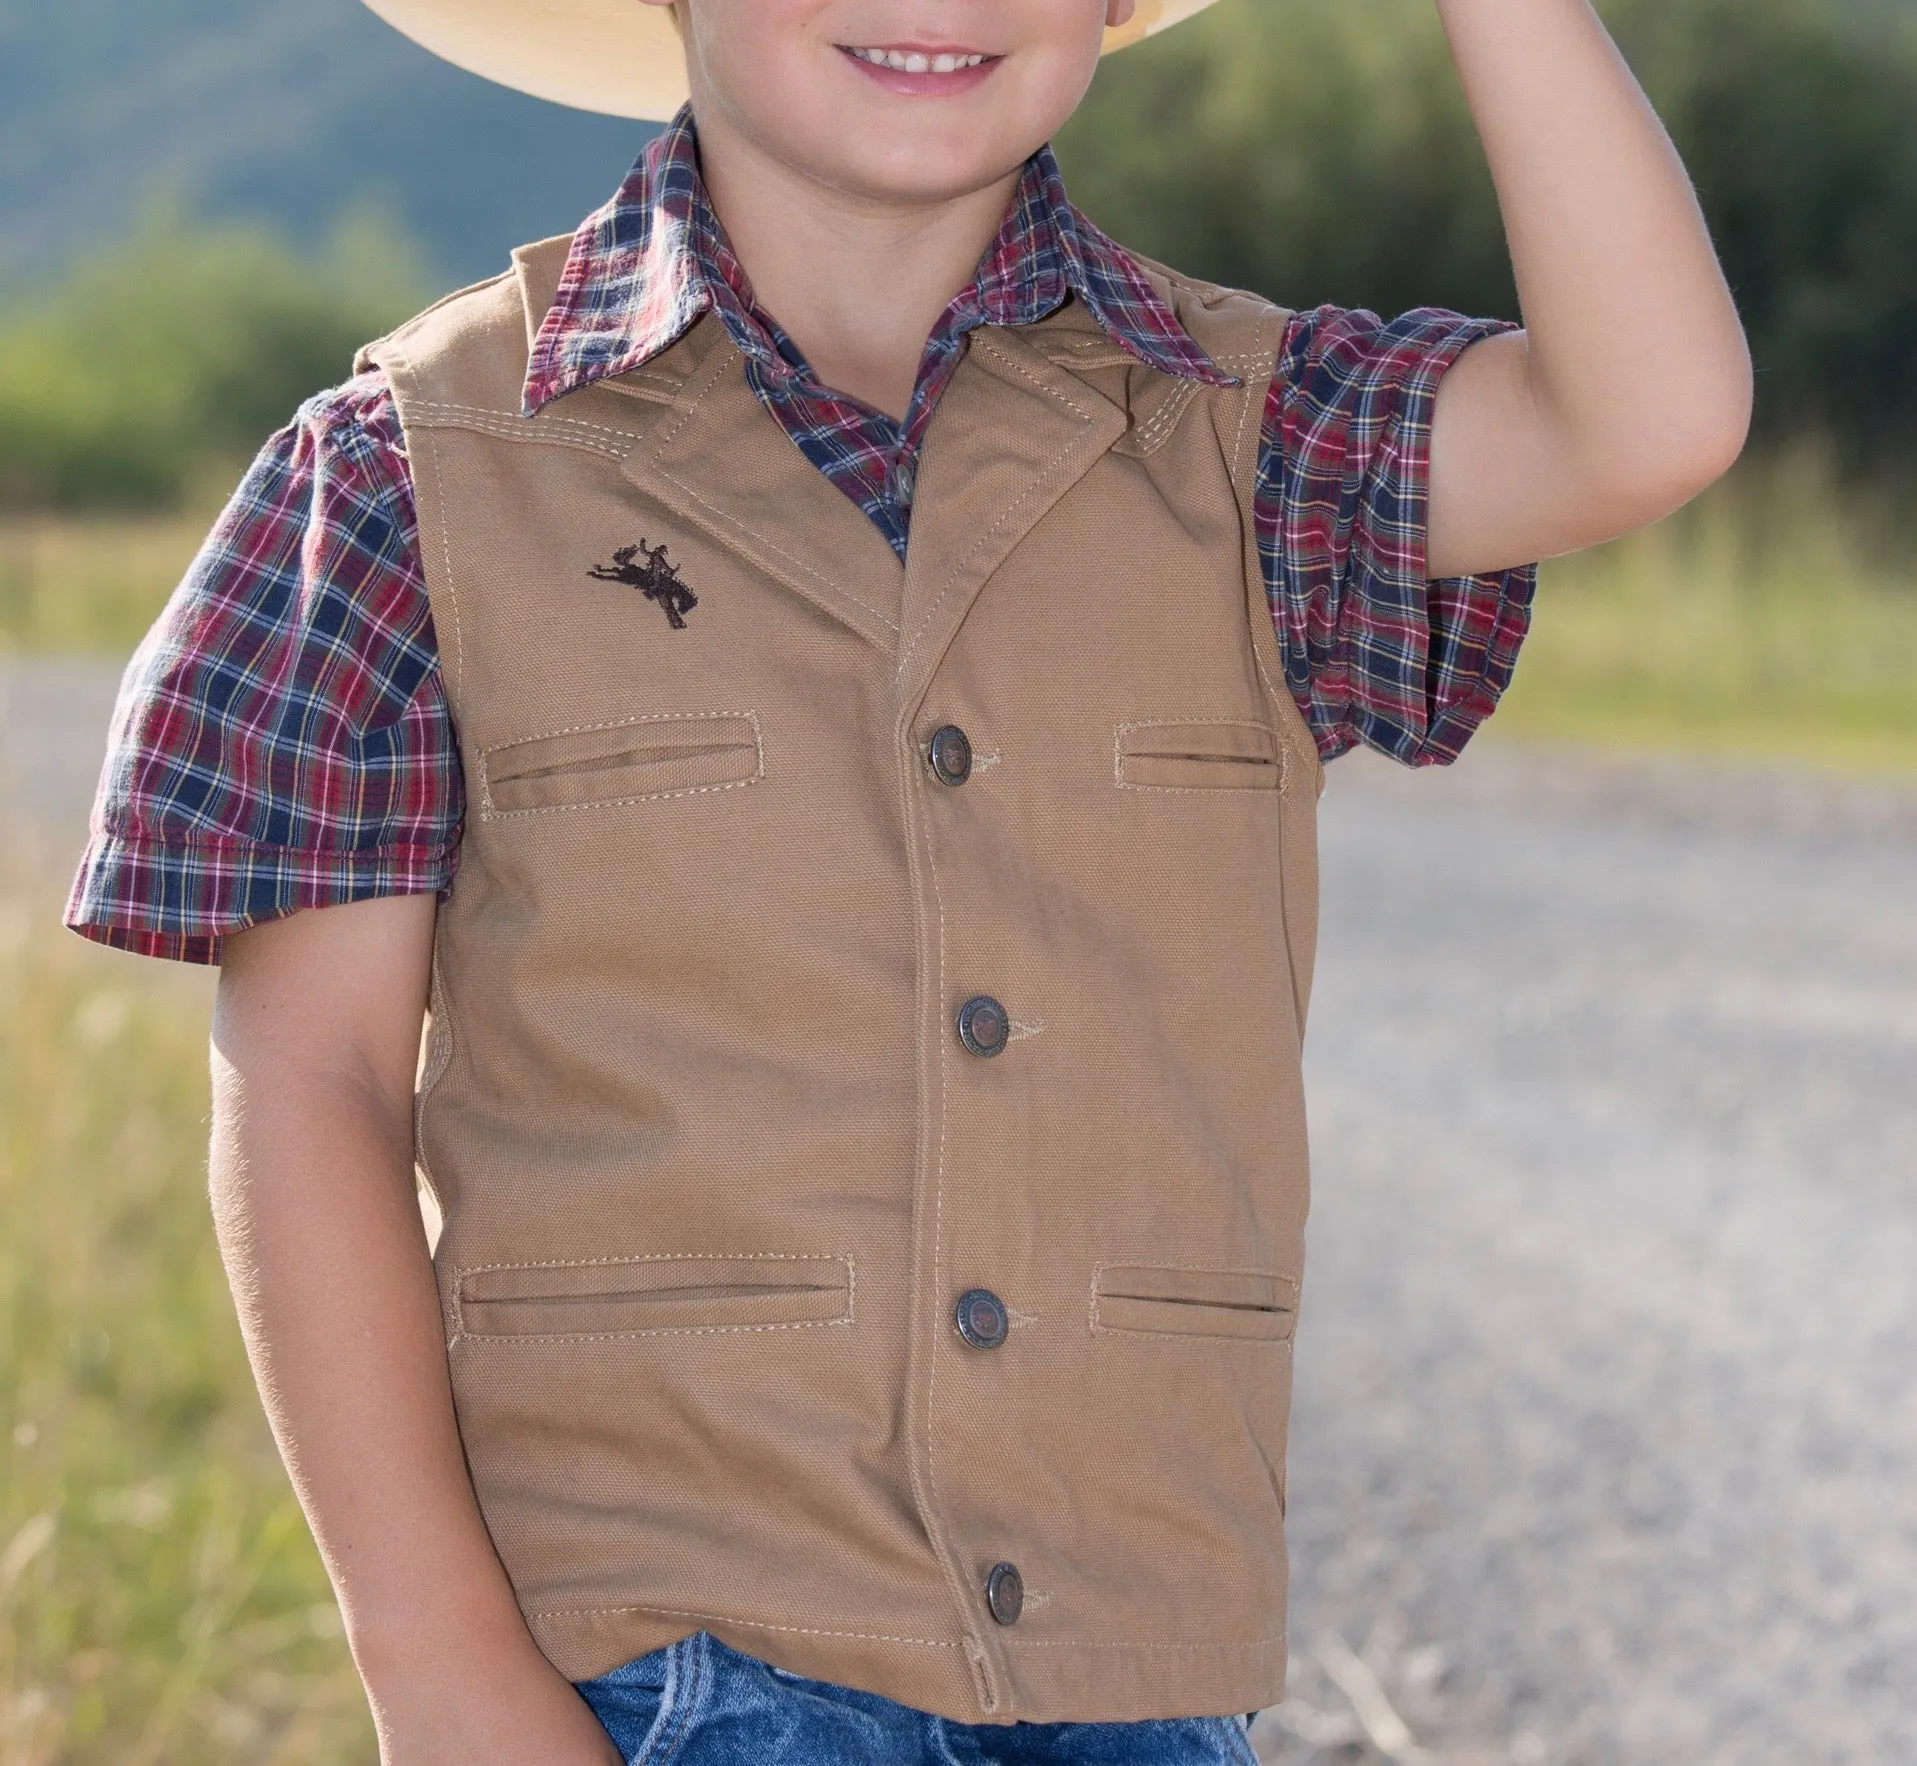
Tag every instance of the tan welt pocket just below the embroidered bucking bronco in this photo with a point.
(601, 764)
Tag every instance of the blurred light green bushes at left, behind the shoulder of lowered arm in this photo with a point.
(175, 358)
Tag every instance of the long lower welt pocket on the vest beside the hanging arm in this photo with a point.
(655, 1297)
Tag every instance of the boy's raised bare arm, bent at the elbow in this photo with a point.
(1630, 388)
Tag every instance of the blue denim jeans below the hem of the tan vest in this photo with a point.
(701, 1704)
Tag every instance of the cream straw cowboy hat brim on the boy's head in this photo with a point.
(611, 57)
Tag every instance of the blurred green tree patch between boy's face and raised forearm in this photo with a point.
(1318, 151)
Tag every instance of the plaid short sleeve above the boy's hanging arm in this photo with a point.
(283, 737)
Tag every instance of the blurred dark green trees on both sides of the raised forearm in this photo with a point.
(1320, 151)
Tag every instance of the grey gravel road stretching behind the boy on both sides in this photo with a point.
(1605, 1445)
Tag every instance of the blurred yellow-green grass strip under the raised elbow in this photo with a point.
(1768, 622)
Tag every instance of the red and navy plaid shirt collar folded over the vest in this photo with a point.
(649, 264)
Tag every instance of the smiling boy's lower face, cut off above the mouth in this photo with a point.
(804, 83)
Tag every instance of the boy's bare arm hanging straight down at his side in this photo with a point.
(315, 1042)
